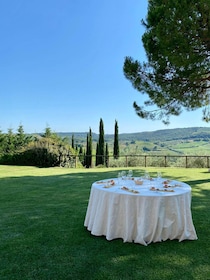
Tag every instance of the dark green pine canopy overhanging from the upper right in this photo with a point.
(176, 75)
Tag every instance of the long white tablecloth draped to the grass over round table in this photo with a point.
(139, 214)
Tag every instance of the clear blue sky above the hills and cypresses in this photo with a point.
(61, 65)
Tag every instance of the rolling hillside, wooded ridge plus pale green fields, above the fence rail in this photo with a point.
(179, 141)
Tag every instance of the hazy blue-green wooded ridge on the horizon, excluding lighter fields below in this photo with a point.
(190, 133)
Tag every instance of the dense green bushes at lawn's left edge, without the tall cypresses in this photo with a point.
(44, 151)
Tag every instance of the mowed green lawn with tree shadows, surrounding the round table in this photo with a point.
(42, 233)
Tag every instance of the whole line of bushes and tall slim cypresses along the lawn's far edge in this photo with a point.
(50, 149)
